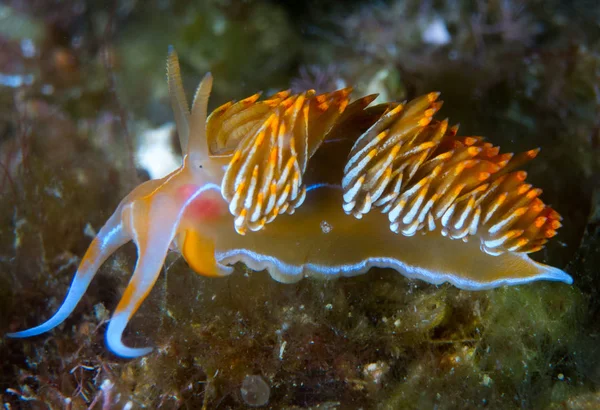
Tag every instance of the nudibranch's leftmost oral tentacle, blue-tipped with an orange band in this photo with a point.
(111, 237)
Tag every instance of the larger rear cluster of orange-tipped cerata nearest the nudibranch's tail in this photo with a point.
(426, 178)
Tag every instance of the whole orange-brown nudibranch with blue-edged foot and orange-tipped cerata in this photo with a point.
(316, 185)
